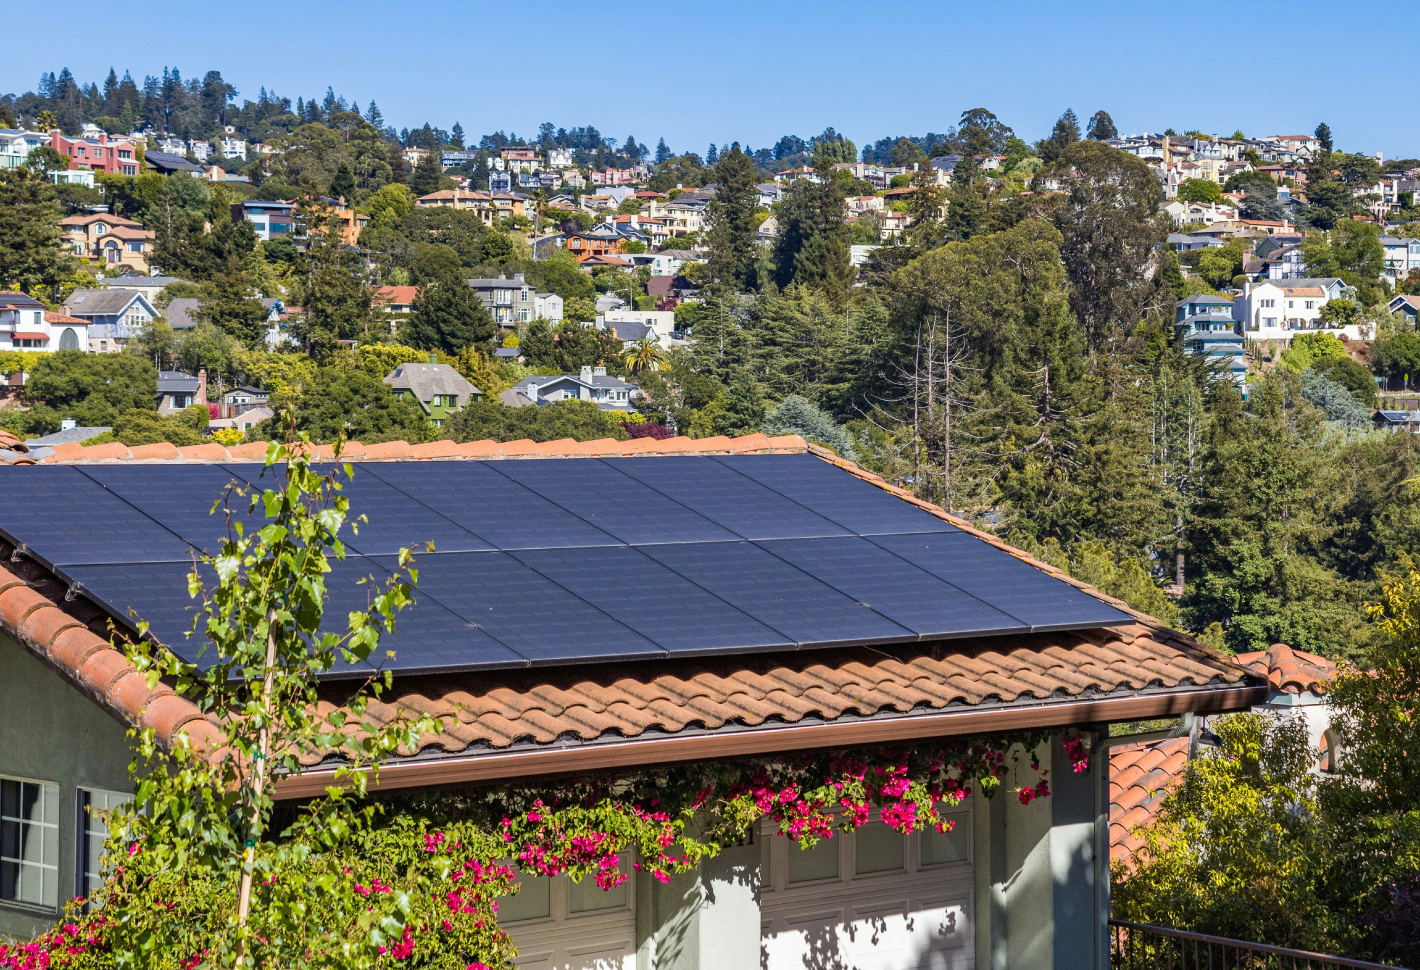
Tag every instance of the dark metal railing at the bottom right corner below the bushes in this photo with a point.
(1138, 947)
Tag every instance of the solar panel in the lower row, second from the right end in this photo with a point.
(894, 587)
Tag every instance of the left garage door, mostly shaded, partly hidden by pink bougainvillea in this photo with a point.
(564, 925)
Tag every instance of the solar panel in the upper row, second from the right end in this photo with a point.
(726, 498)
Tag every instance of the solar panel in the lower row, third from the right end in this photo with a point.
(777, 594)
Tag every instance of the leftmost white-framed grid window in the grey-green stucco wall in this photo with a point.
(31, 843)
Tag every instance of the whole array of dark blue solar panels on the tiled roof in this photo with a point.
(567, 562)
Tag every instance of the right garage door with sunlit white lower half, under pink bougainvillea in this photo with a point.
(870, 901)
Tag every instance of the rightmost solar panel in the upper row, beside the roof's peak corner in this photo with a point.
(858, 506)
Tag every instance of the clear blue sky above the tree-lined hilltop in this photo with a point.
(733, 70)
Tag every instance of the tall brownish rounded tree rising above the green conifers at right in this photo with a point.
(1113, 238)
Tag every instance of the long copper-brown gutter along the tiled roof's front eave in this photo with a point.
(502, 766)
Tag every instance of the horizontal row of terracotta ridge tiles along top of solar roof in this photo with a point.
(485, 449)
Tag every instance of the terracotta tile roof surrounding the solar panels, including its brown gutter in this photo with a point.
(515, 724)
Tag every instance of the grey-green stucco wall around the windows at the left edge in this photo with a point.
(50, 732)
